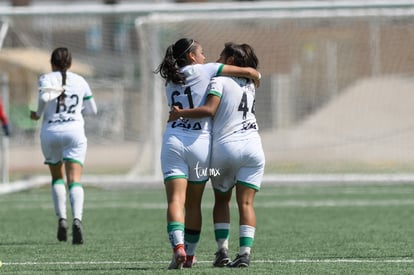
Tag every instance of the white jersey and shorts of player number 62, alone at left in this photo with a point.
(63, 134)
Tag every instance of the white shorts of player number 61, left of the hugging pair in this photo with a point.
(185, 157)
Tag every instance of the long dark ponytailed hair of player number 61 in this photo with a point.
(176, 57)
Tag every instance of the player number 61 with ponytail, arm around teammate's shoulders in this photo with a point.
(186, 143)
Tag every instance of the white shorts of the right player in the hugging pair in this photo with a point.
(240, 162)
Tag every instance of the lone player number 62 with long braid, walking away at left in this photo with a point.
(63, 139)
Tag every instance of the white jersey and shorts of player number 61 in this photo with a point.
(185, 151)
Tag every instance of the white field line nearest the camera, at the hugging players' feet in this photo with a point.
(287, 261)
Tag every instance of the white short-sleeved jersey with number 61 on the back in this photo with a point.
(191, 95)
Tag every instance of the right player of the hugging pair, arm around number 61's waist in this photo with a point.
(237, 152)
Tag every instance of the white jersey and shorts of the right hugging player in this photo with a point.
(237, 154)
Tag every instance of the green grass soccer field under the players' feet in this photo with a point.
(313, 229)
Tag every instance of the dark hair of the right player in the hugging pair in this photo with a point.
(243, 54)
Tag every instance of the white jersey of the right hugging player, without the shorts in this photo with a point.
(235, 117)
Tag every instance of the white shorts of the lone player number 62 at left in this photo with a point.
(63, 146)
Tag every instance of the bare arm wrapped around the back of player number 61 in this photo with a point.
(208, 109)
